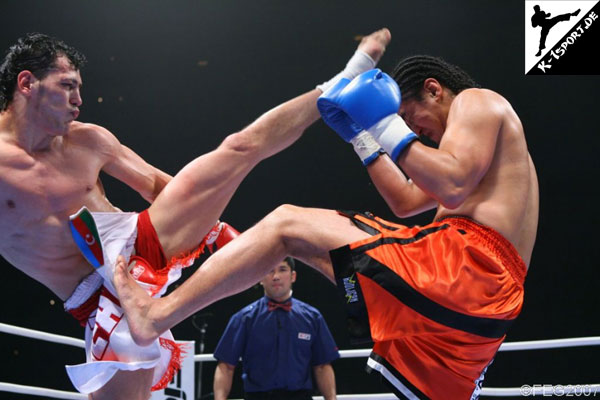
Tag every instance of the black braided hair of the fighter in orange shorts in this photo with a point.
(411, 72)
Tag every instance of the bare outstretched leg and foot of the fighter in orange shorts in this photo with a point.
(306, 234)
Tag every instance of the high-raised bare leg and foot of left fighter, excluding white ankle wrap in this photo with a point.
(193, 201)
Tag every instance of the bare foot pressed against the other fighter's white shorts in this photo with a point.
(138, 306)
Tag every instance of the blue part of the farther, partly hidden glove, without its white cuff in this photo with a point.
(334, 116)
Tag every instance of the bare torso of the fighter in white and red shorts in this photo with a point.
(38, 192)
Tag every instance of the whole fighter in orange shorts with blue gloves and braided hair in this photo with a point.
(437, 300)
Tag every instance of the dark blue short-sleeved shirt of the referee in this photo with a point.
(278, 348)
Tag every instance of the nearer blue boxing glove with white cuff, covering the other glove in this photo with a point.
(372, 100)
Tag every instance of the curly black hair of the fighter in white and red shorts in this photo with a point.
(37, 53)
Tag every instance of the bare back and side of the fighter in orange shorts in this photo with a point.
(506, 198)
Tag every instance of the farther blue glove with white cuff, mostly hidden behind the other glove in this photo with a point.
(365, 146)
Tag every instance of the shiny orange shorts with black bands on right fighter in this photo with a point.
(436, 300)
